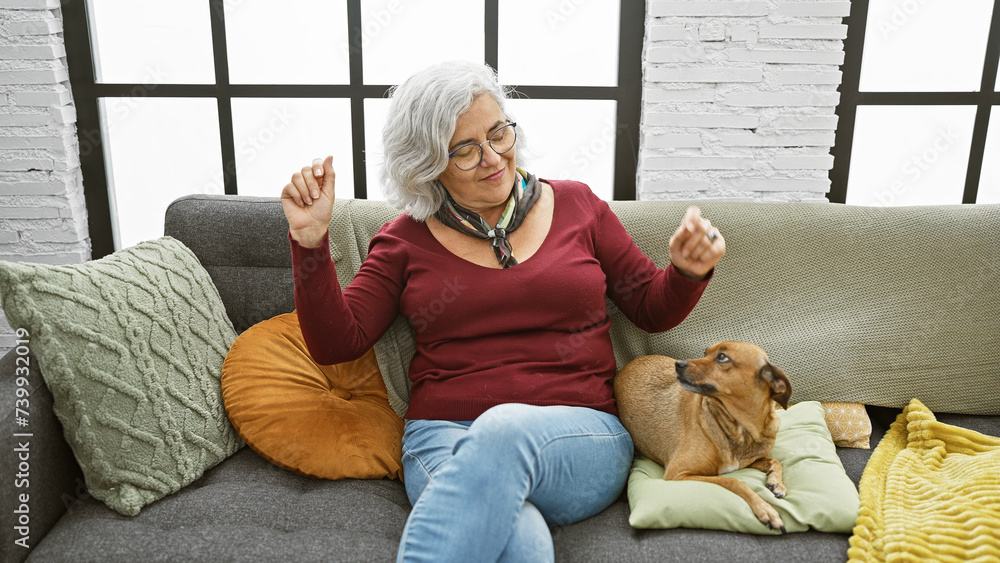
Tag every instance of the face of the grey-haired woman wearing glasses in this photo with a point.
(488, 185)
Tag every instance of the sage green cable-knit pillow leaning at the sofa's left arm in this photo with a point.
(131, 347)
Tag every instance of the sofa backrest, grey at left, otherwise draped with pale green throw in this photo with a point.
(866, 304)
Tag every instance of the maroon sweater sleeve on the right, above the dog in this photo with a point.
(654, 299)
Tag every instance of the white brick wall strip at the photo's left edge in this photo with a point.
(42, 211)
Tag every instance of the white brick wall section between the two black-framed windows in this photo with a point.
(739, 99)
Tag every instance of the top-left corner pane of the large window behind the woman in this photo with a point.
(150, 42)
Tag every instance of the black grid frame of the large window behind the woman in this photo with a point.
(87, 92)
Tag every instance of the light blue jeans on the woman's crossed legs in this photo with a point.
(487, 490)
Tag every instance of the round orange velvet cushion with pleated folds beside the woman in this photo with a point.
(331, 422)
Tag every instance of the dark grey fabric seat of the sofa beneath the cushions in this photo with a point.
(247, 509)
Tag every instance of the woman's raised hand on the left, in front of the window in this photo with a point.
(308, 202)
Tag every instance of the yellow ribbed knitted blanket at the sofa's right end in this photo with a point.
(930, 492)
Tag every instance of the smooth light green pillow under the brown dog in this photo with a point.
(820, 494)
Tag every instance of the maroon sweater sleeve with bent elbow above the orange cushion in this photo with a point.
(340, 326)
